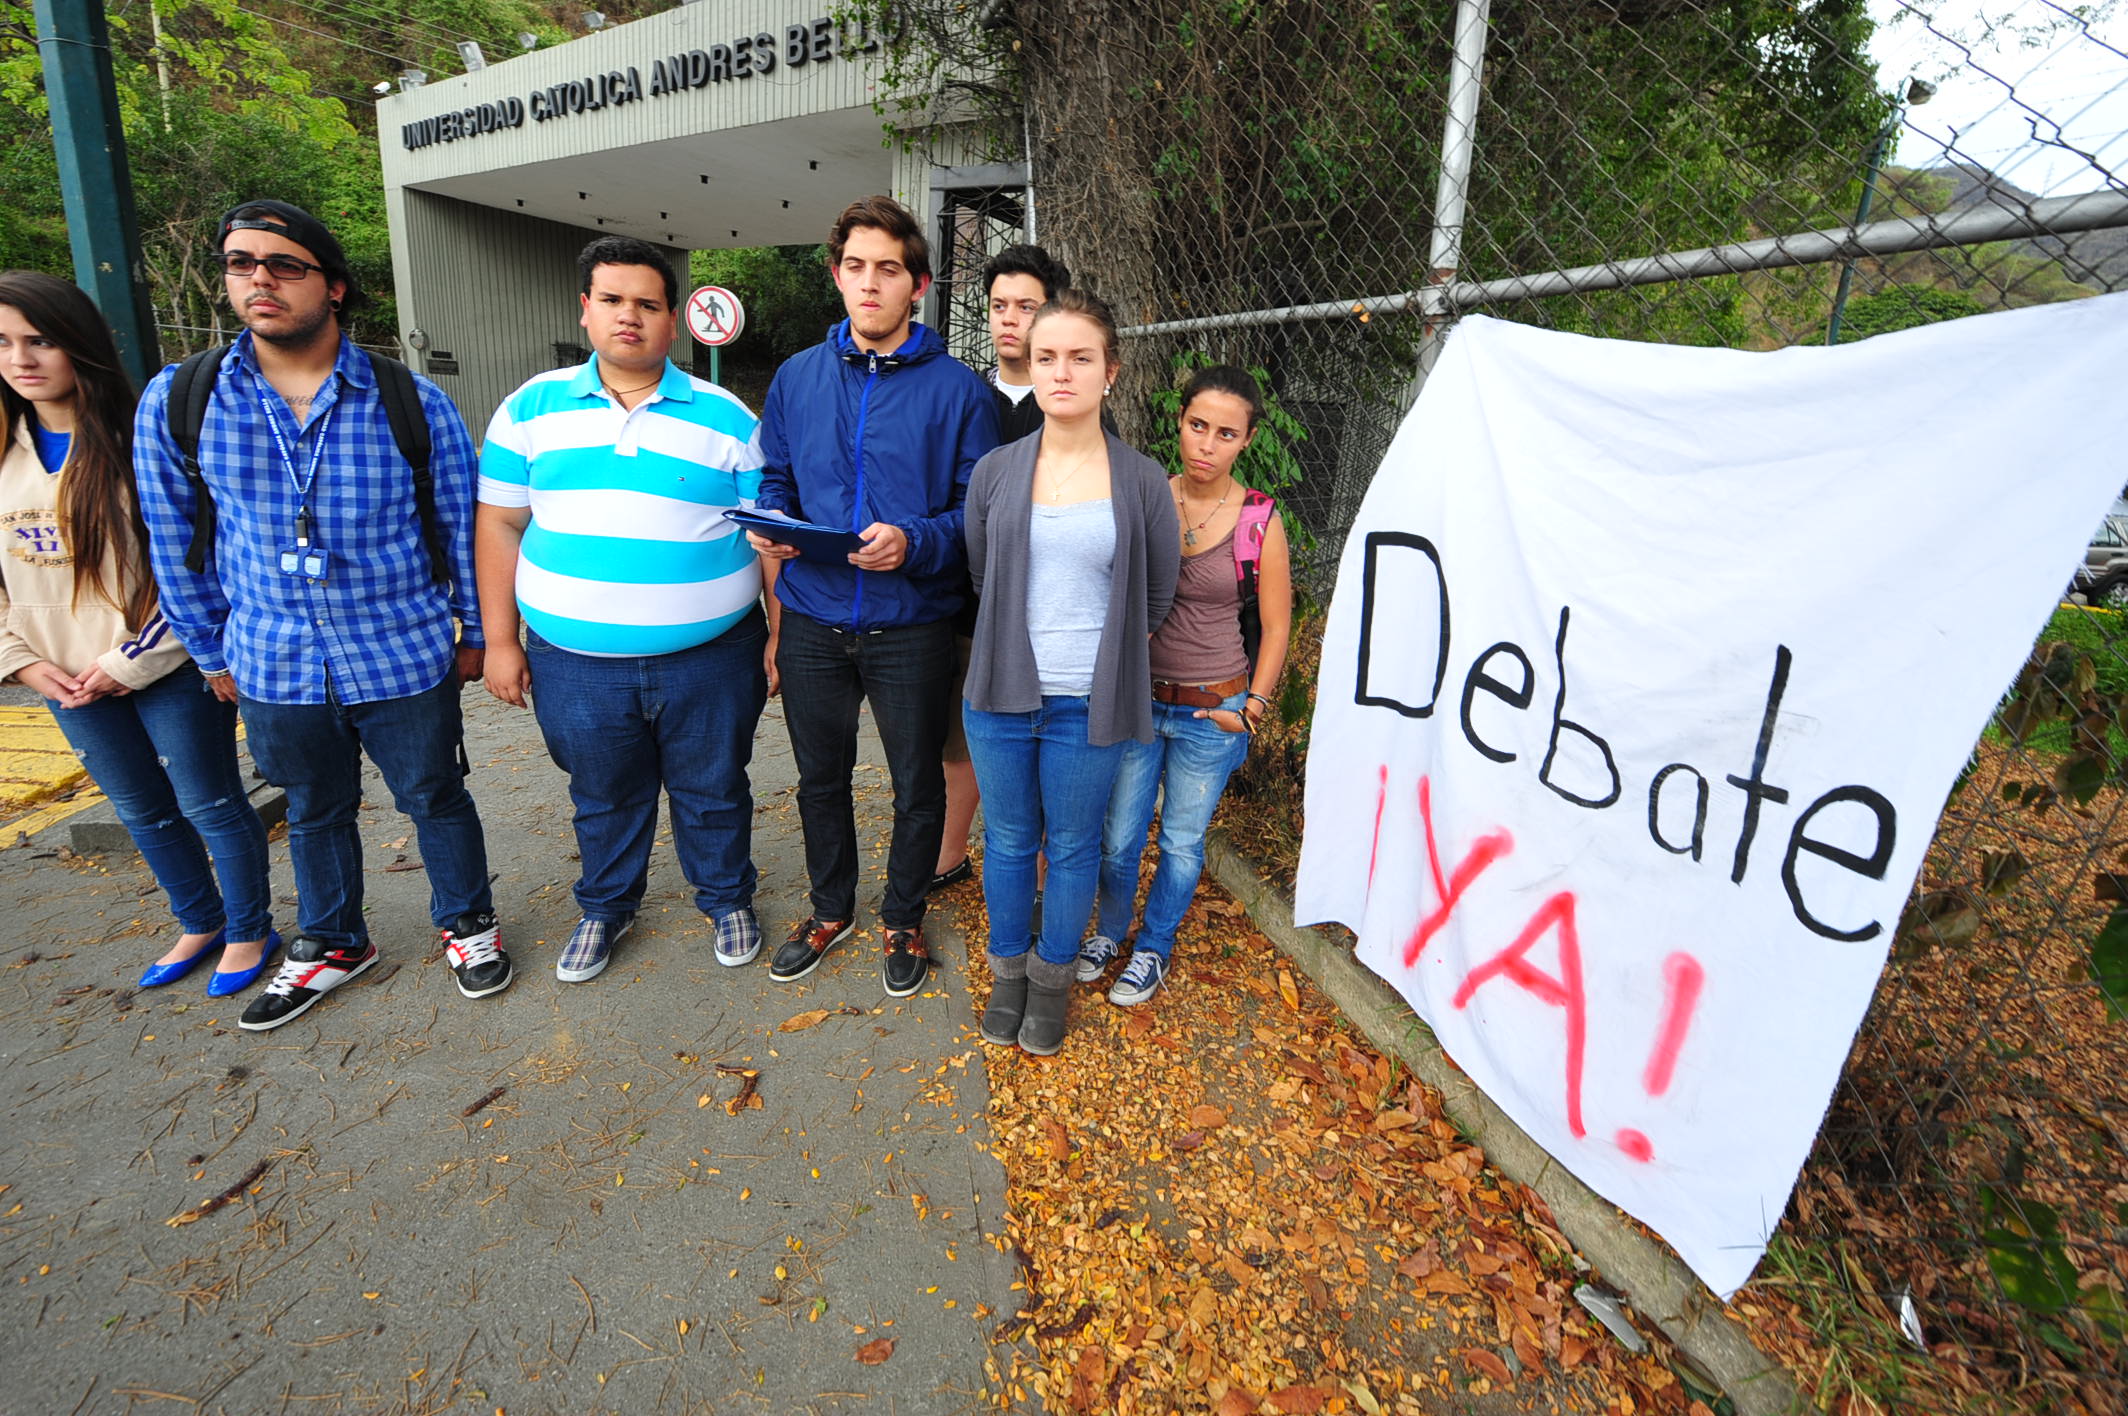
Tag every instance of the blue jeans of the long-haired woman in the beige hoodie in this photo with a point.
(167, 759)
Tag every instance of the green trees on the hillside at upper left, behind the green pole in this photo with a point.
(235, 101)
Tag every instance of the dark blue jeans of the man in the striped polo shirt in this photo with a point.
(625, 727)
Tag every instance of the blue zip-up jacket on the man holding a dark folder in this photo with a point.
(850, 440)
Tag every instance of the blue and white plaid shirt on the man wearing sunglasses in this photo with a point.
(376, 625)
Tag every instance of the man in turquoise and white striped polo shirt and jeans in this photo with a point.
(646, 655)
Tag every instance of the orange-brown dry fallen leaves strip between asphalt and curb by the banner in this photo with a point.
(1225, 1193)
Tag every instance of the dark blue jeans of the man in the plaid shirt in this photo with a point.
(314, 751)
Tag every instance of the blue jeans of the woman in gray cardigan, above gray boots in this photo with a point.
(1044, 793)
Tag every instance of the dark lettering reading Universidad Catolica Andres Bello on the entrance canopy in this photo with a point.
(748, 56)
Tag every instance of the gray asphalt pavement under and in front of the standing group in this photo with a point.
(569, 1198)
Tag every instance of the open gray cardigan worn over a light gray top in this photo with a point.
(1142, 589)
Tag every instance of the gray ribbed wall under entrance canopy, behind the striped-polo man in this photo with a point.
(495, 291)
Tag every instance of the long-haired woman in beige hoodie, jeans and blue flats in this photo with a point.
(80, 625)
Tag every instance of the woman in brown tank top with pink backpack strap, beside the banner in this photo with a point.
(1212, 682)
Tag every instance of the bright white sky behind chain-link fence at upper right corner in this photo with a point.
(2029, 63)
